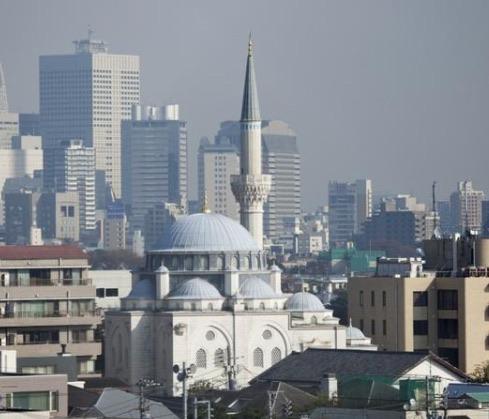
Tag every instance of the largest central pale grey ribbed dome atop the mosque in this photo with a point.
(207, 232)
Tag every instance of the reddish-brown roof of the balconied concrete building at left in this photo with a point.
(41, 252)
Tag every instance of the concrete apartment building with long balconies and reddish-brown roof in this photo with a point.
(48, 300)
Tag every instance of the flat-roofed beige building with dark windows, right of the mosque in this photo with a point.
(403, 308)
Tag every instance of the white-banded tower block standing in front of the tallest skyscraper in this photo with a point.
(72, 169)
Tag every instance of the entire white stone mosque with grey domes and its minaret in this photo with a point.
(207, 298)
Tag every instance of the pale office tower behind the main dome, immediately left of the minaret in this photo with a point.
(217, 163)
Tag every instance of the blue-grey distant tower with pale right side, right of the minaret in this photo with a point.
(350, 205)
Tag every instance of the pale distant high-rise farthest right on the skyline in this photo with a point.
(466, 207)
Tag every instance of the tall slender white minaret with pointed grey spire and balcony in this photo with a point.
(251, 187)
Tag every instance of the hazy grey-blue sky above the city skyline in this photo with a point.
(397, 91)
